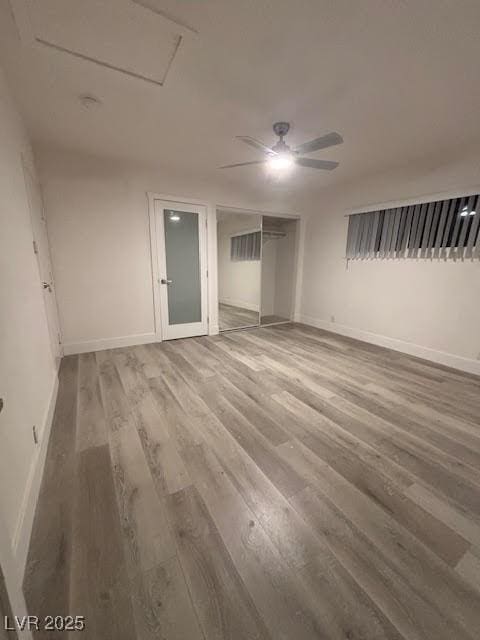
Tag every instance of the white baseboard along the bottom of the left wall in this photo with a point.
(23, 529)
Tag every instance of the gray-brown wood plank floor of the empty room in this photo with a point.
(280, 483)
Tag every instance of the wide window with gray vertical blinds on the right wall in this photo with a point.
(441, 229)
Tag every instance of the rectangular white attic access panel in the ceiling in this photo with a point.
(122, 35)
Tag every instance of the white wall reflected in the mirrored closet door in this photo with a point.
(238, 281)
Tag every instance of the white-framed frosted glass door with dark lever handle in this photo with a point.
(182, 282)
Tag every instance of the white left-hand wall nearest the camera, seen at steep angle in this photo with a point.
(28, 373)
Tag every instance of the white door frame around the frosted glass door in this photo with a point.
(156, 256)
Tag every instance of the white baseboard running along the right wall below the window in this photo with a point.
(440, 357)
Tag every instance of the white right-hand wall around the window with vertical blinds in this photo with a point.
(428, 308)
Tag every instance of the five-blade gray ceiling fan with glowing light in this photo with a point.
(281, 156)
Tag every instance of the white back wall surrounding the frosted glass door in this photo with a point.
(98, 222)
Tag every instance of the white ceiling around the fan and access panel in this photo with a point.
(399, 79)
